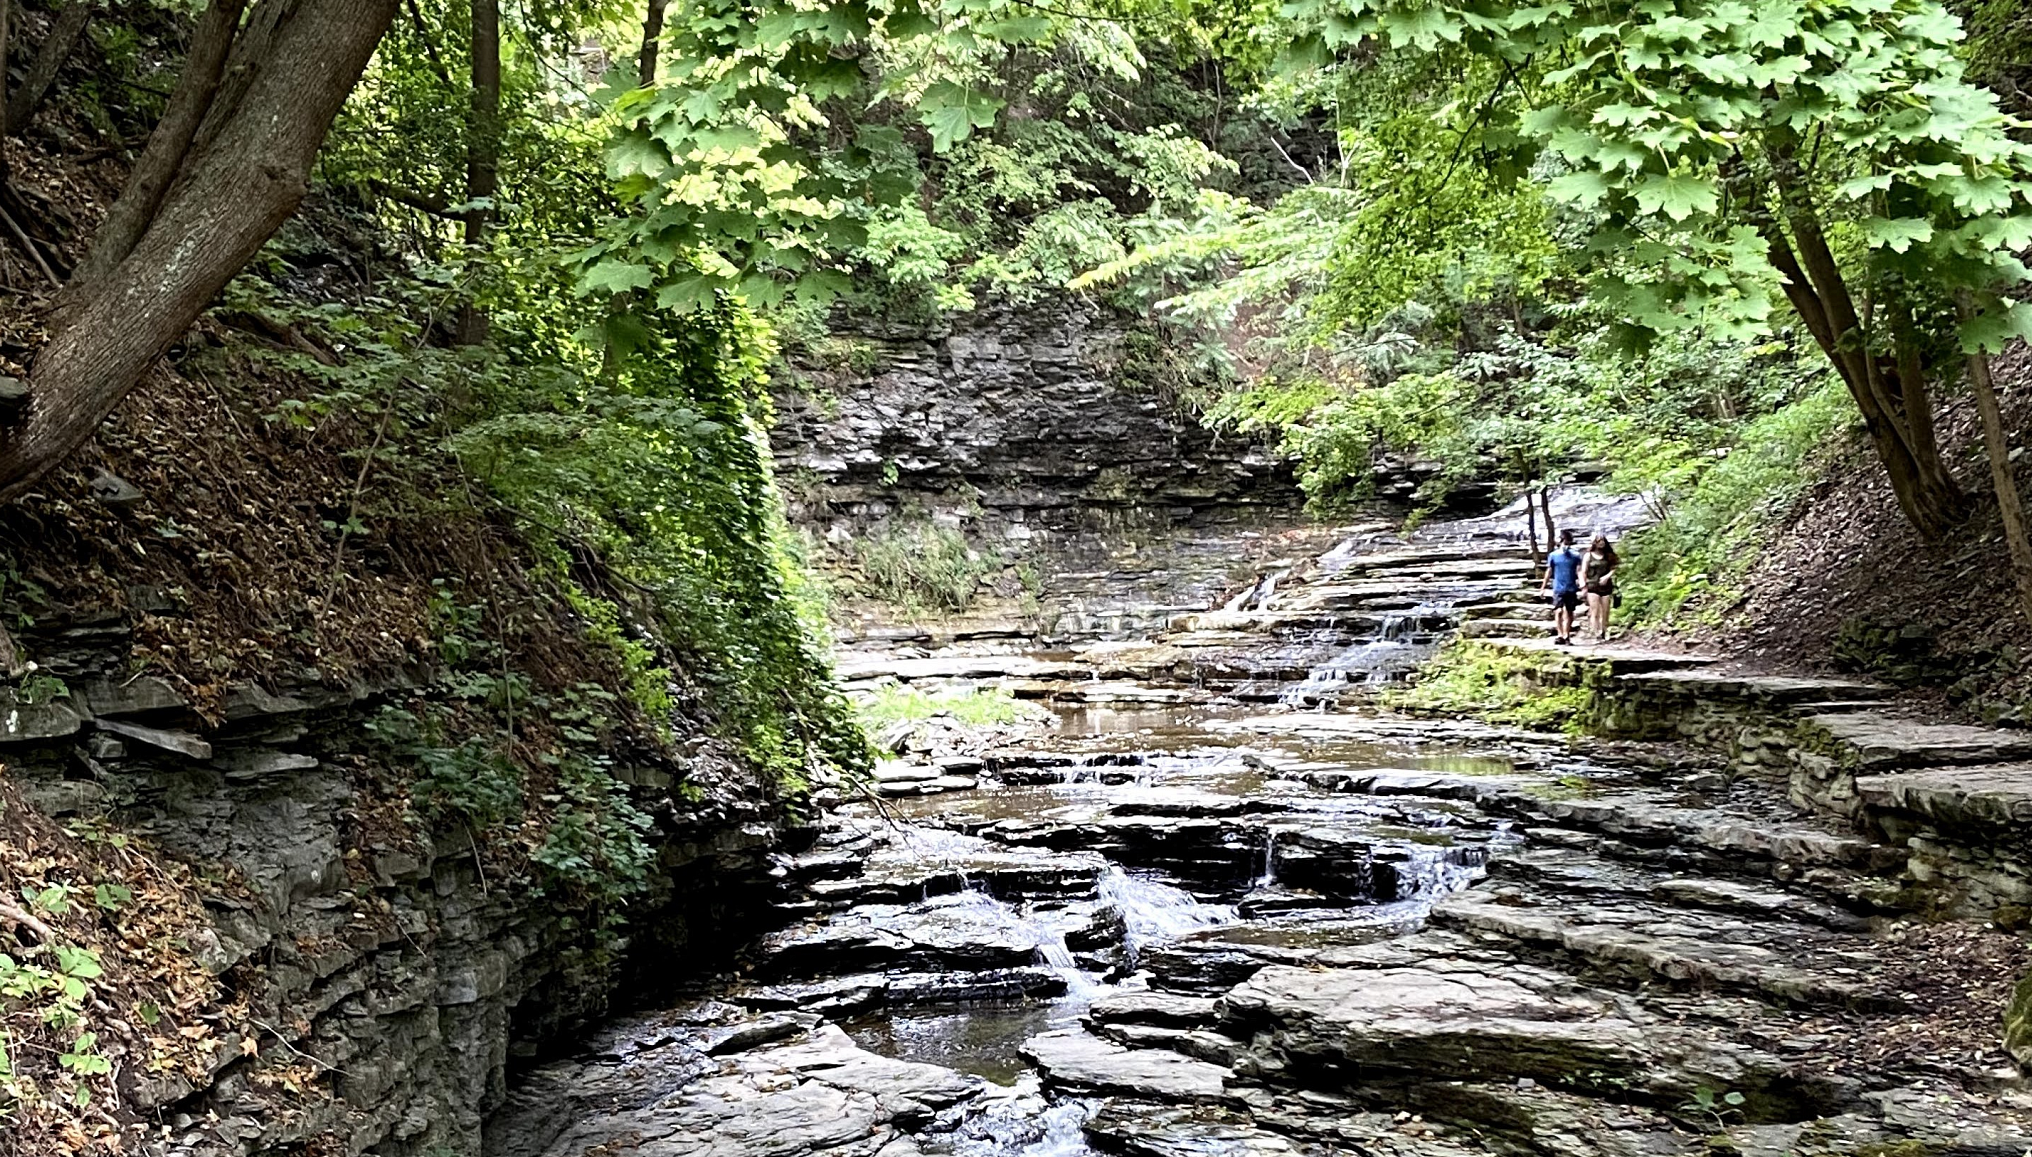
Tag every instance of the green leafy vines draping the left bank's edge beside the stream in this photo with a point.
(655, 465)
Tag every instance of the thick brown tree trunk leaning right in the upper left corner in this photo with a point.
(225, 204)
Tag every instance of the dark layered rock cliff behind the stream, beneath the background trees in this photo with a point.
(1013, 420)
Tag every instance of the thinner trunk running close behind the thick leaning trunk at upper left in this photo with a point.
(166, 151)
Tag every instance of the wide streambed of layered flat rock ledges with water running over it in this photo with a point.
(1186, 920)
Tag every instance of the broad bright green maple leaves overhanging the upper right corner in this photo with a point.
(1681, 131)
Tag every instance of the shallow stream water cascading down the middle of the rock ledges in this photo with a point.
(1155, 843)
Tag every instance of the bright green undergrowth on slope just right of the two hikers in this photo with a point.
(1726, 509)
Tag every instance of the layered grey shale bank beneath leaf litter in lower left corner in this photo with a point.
(371, 985)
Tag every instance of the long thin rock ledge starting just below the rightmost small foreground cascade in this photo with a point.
(1773, 959)
